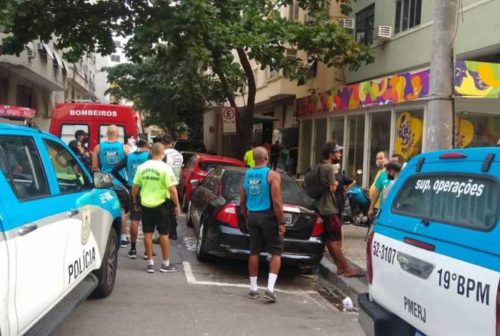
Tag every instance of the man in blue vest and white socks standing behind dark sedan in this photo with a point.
(262, 207)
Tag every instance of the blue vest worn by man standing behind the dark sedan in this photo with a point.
(257, 189)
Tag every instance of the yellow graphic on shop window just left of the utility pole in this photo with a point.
(408, 135)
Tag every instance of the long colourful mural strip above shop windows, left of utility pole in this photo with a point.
(398, 88)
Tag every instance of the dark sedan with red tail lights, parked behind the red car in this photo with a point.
(221, 229)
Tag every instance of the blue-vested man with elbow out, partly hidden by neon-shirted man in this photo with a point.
(130, 163)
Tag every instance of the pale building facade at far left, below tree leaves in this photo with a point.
(39, 78)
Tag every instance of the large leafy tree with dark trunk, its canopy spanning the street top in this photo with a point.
(206, 30)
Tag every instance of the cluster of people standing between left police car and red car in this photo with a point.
(148, 177)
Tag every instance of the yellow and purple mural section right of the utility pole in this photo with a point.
(477, 79)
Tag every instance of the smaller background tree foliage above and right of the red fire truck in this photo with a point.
(169, 93)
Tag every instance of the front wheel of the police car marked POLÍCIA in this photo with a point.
(106, 275)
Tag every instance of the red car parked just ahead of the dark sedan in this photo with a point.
(197, 168)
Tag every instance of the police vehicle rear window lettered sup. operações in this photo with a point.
(462, 200)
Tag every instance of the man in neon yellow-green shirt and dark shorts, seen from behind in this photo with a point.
(157, 184)
